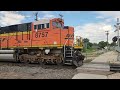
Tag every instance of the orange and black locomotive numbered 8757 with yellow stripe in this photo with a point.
(43, 41)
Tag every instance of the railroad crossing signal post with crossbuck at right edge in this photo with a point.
(118, 42)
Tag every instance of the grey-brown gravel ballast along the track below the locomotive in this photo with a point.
(35, 71)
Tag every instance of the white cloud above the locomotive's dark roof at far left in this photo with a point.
(10, 18)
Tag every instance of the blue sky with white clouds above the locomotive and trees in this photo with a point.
(87, 24)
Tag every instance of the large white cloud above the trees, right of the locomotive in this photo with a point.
(95, 32)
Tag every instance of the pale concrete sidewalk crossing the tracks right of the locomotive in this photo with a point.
(98, 68)
